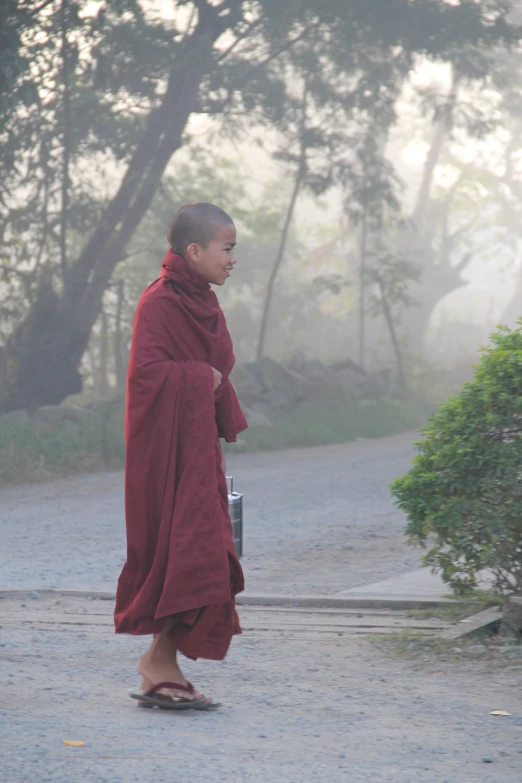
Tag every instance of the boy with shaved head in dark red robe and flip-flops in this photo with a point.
(182, 573)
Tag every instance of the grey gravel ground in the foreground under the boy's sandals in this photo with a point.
(295, 710)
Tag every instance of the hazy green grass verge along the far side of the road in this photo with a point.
(29, 452)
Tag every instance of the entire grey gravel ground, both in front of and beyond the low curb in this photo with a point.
(295, 710)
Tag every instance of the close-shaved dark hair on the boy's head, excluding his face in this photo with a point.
(196, 223)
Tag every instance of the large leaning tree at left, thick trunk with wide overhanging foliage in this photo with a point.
(132, 84)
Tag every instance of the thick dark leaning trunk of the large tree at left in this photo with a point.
(45, 351)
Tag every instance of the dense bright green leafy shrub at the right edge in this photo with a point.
(463, 496)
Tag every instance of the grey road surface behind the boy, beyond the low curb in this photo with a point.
(316, 521)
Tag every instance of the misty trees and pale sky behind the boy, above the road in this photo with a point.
(368, 152)
